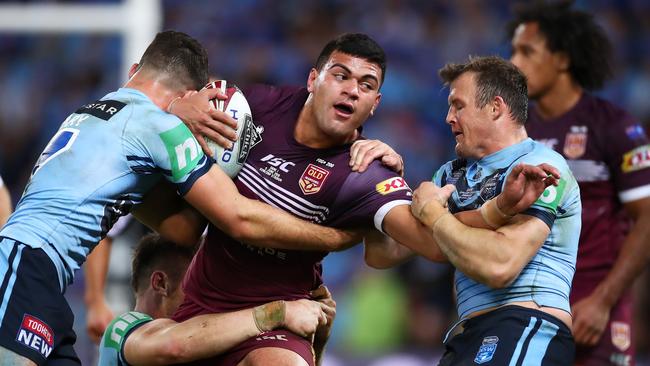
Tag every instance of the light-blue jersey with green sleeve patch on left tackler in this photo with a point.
(100, 163)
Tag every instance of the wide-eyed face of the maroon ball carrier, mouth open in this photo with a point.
(345, 93)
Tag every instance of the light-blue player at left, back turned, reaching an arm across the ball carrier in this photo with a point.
(100, 163)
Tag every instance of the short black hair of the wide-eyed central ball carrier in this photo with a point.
(354, 44)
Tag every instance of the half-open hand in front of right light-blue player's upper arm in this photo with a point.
(524, 185)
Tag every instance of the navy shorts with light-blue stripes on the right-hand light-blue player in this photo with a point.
(511, 336)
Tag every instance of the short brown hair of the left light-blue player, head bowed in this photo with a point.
(178, 55)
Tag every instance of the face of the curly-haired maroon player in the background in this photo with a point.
(532, 56)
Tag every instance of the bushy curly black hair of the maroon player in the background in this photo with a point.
(574, 33)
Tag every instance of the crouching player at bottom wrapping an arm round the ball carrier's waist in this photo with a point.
(147, 336)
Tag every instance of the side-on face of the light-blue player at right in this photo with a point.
(470, 125)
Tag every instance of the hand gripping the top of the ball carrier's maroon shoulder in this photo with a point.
(364, 152)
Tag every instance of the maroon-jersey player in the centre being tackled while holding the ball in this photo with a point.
(298, 160)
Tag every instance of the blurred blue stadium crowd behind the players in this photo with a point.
(394, 317)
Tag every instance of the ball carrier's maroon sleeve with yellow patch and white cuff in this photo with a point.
(365, 199)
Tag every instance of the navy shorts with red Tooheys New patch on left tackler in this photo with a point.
(35, 319)
